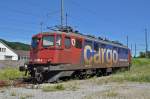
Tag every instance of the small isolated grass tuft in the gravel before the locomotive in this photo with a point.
(57, 87)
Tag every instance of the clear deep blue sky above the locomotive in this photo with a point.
(113, 19)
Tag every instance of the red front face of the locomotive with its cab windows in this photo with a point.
(44, 48)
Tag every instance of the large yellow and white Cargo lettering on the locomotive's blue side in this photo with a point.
(102, 56)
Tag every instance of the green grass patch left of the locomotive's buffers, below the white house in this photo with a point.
(10, 73)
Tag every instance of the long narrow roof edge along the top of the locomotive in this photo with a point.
(88, 38)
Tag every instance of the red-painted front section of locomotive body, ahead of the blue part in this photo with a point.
(55, 48)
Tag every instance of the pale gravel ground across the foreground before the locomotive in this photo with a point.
(82, 89)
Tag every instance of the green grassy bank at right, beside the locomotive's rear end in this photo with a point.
(139, 72)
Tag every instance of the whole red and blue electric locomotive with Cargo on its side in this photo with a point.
(67, 53)
